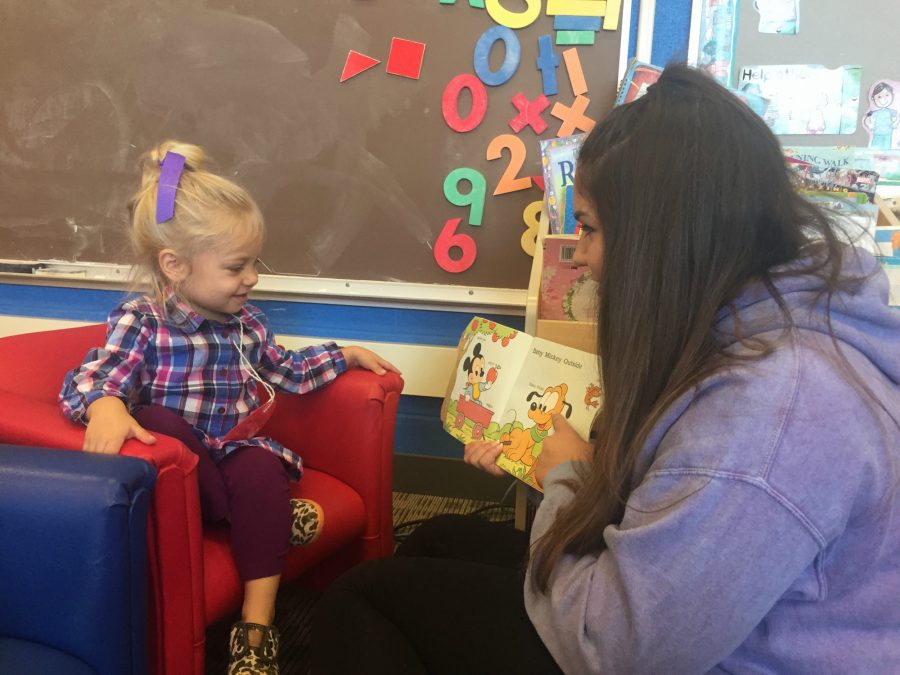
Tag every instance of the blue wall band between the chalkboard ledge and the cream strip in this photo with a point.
(379, 324)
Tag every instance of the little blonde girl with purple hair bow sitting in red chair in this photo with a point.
(192, 359)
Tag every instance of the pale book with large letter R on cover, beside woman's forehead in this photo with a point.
(559, 157)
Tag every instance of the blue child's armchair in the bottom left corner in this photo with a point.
(73, 562)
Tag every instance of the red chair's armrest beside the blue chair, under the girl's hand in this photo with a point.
(174, 527)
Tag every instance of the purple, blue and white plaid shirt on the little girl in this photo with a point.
(189, 364)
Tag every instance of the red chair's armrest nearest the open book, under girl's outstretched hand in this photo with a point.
(346, 429)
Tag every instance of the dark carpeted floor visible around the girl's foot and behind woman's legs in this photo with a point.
(295, 603)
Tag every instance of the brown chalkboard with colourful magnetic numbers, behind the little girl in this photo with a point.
(349, 175)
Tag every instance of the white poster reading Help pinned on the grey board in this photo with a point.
(805, 99)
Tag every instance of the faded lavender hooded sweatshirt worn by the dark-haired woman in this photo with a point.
(764, 532)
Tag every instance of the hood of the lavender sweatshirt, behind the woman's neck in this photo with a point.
(860, 315)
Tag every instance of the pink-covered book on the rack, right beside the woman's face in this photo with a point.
(567, 290)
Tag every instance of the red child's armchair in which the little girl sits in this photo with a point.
(344, 432)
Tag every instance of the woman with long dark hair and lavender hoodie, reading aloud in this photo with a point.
(739, 510)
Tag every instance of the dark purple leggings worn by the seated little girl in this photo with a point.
(249, 487)
